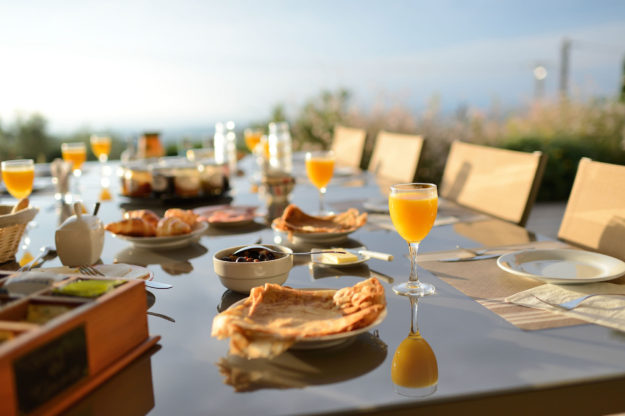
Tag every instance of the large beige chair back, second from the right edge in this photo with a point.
(502, 183)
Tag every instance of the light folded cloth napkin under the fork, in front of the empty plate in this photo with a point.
(602, 310)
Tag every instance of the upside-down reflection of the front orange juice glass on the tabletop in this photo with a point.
(414, 370)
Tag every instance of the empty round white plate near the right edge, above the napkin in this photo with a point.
(562, 266)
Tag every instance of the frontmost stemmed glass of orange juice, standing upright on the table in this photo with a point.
(413, 208)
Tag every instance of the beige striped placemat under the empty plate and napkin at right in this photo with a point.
(485, 282)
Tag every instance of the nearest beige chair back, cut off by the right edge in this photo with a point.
(595, 213)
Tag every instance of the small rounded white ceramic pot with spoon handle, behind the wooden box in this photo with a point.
(80, 239)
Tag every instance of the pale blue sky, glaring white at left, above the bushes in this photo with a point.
(160, 64)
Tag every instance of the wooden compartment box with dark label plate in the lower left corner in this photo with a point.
(46, 367)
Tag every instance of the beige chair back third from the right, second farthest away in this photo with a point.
(395, 156)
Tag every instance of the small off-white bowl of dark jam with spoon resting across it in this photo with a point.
(242, 277)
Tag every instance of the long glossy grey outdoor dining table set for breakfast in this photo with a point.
(485, 362)
